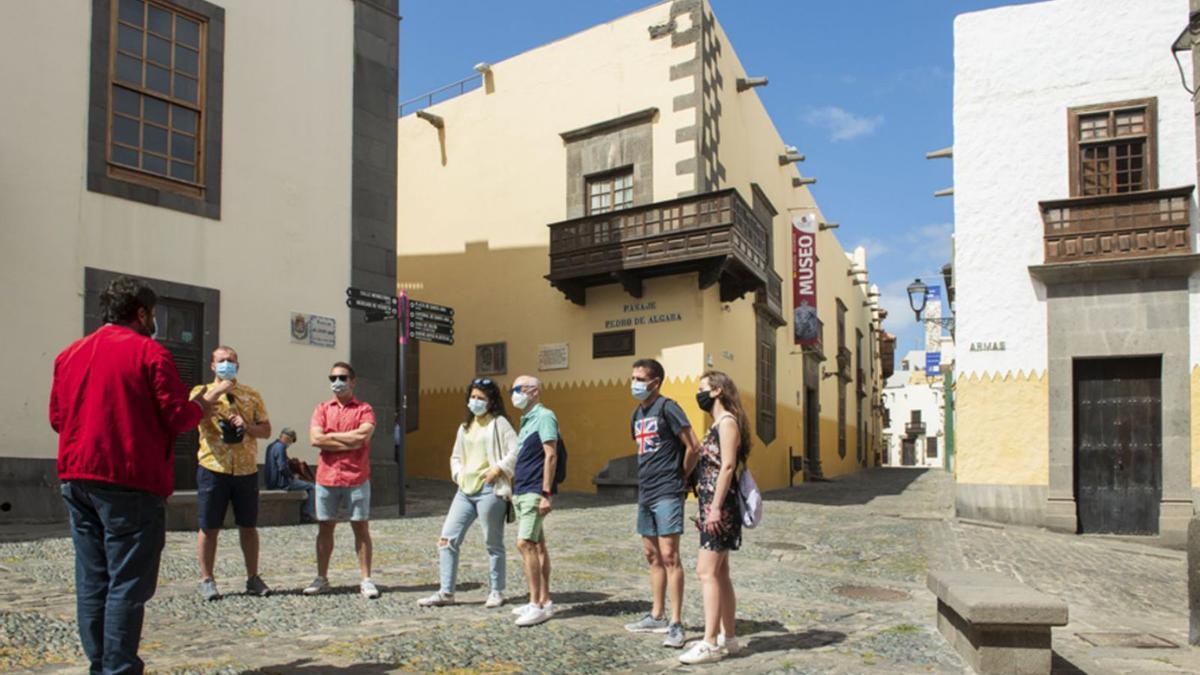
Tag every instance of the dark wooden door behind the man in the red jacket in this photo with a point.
(182, 331)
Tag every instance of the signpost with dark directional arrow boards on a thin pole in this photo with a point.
(419, 321)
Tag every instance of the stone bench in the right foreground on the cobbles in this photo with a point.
(997, 624)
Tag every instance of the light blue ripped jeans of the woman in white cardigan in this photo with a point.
(464, 511)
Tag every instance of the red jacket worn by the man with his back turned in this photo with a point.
(118, 404)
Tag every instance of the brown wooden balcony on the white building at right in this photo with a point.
(1129, 225)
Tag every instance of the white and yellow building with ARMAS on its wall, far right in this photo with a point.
(1075, 165)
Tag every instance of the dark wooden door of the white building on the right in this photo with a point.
(1119, 445)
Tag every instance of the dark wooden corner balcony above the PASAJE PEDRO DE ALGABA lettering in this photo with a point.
(715, 234)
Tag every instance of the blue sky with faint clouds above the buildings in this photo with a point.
(863, 88)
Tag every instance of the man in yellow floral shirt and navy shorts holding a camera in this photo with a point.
(229, 474)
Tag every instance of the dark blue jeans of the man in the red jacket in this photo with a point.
(118, 536)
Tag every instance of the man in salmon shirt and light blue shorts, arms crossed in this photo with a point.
(341, 428)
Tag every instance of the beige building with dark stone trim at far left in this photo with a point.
(178, 142)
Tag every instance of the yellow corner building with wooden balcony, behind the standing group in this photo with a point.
(623, 194)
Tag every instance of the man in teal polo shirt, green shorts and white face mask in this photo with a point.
(533, 485)
